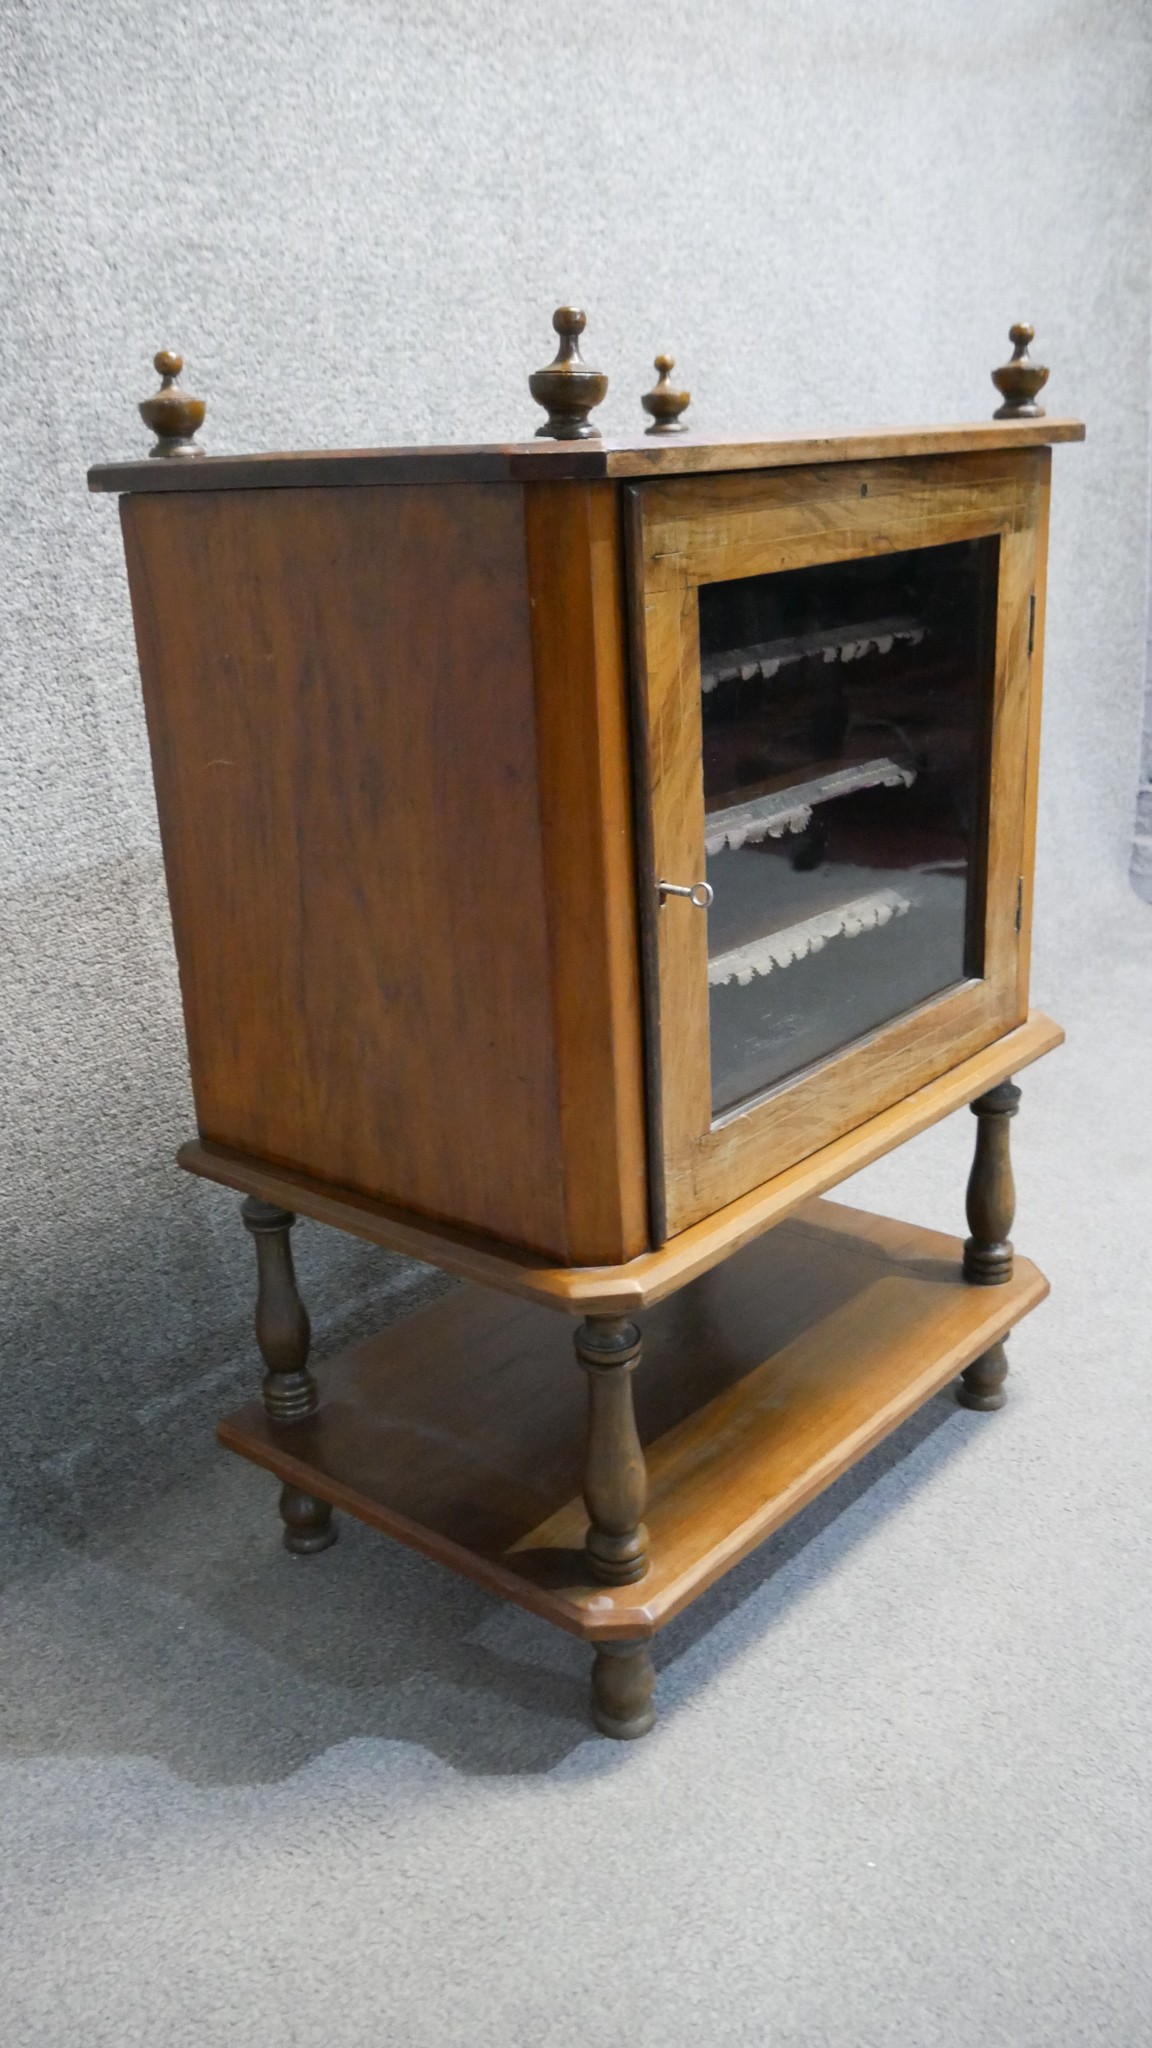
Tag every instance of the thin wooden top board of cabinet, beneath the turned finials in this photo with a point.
(571, 462)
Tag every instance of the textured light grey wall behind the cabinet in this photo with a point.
(356, 222)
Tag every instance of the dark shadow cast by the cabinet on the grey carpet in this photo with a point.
(190, 1635)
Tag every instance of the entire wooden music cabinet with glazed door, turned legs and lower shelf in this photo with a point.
(583, 857)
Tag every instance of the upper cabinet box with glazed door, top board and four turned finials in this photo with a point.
(569, 837)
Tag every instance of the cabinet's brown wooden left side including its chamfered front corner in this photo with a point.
(395, 787)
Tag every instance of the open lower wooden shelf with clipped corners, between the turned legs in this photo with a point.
(462, 1428)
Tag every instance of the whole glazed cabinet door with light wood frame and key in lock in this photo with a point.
(837, 722)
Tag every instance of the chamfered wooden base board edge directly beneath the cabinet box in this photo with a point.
(655, 1275)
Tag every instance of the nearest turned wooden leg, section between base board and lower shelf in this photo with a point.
(616, 1480)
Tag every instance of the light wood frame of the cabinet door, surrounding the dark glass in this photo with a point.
(733, 527)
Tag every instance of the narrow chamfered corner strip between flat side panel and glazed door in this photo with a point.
(585, 773)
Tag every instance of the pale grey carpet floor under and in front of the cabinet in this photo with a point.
(901, 1783)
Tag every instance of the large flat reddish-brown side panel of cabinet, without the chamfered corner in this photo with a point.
(339, 695)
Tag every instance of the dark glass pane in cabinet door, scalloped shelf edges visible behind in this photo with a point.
(846, 716)
